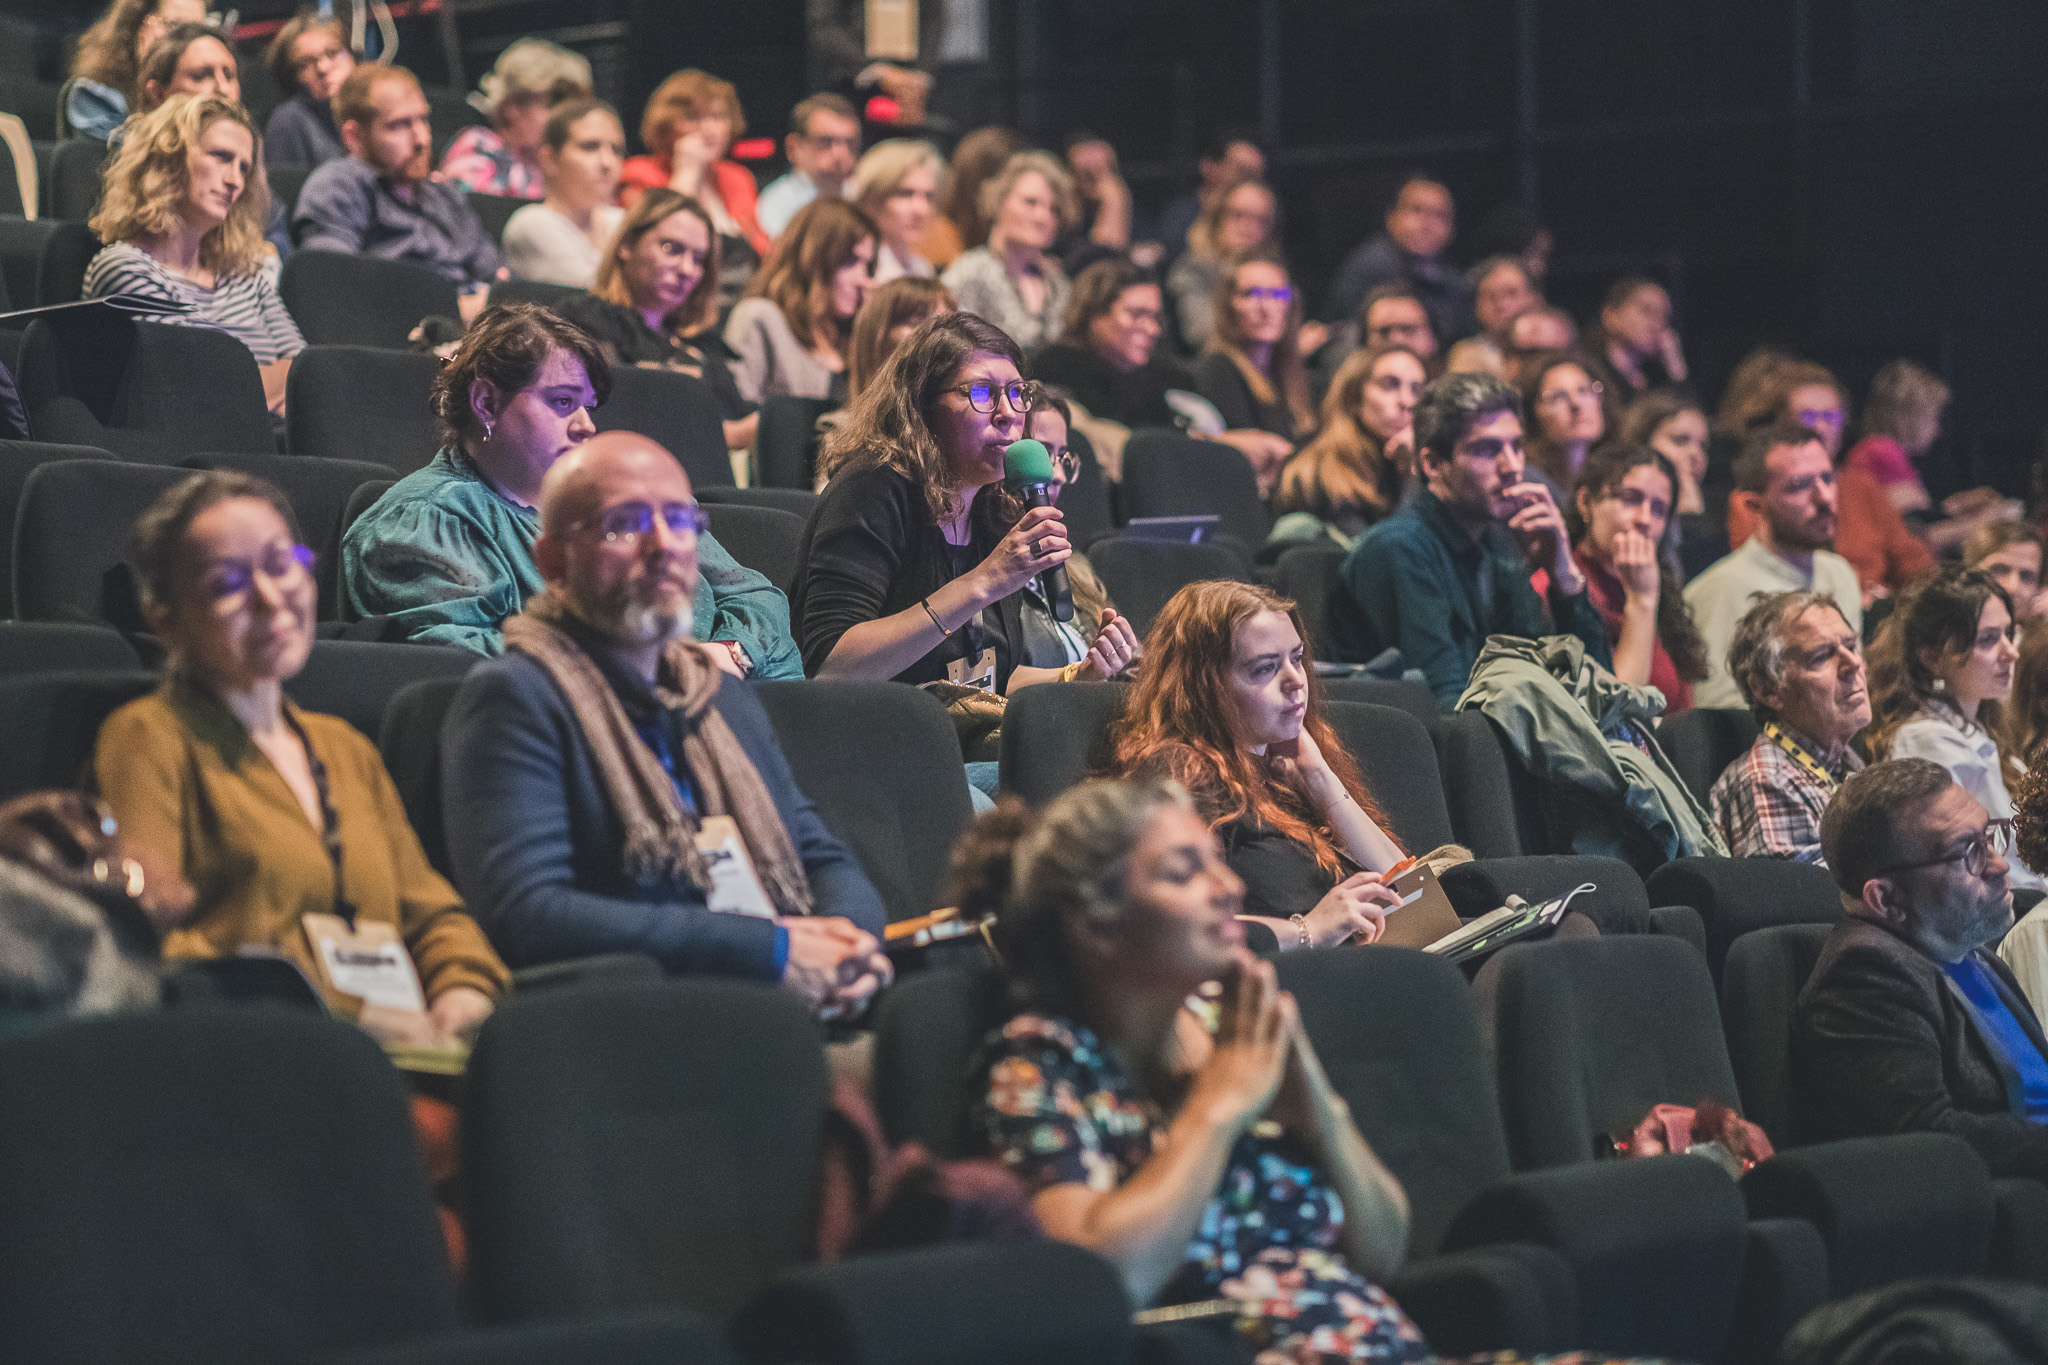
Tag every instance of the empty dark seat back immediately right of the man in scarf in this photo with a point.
(882, 764)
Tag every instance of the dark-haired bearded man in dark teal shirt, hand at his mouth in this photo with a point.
(1453, 566)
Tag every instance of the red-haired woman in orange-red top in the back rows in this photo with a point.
(691, 124)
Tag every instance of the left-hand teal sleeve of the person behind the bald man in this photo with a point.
(437, 574)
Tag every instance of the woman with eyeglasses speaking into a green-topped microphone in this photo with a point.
(919, 562)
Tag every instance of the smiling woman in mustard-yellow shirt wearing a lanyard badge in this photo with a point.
(267, 811)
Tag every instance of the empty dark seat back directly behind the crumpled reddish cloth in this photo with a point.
(1592, 1032)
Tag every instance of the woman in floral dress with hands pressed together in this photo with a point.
(1113, 910)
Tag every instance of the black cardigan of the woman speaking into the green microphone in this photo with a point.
(873, 549)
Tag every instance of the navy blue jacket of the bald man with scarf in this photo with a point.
(538, 848)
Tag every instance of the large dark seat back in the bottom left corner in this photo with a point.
(216, 1188)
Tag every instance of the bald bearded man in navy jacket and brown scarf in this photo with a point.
(609, 789)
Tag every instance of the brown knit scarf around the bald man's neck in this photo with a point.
(660, 834)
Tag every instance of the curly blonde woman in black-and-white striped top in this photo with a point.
(183, 216)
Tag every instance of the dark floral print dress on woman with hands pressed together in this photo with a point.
(1058, 1110)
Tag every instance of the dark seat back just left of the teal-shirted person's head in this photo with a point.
(364, 404)
